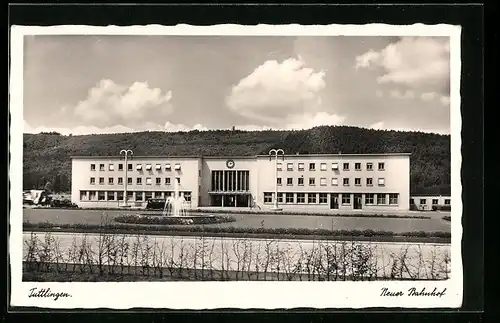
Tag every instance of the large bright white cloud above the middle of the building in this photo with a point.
(276, 90)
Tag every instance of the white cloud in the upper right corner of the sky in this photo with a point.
(417, 62)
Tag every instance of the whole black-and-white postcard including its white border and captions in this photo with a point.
(281, 162)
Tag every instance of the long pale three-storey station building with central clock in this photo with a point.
(373, 182)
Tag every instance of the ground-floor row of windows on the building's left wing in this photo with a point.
(131, 195)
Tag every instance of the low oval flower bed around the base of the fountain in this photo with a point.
(168, 220)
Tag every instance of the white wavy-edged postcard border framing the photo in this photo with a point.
(244, 295)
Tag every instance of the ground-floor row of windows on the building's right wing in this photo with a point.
(322, 198)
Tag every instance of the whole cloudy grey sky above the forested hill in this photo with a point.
(87, 84)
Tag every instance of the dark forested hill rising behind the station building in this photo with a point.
(47, 155)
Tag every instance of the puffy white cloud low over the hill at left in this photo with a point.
(109, 104)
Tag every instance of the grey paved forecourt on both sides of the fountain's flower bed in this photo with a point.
(255, 221)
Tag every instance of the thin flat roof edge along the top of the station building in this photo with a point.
(238, 157)
